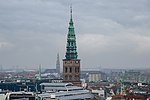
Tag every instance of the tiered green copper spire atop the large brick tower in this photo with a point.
(71, 52)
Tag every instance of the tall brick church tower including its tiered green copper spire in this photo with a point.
(71, 64)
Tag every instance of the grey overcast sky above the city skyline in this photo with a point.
(110, 33)
